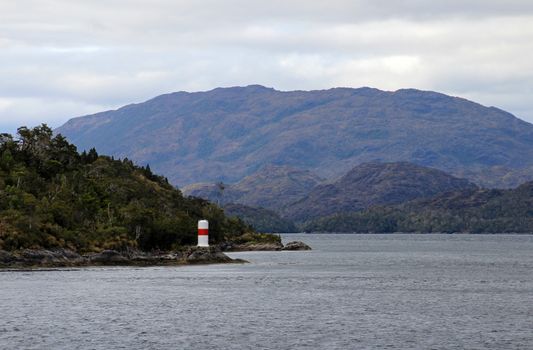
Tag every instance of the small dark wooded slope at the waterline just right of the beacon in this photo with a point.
(262, 220)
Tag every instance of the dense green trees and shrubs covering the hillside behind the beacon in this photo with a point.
(52, 196)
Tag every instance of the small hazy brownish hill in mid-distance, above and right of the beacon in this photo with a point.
(271, 187)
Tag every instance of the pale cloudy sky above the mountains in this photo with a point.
(65, 58)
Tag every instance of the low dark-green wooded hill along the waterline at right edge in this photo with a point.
(468, 211)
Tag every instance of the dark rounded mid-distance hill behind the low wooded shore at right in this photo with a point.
(372, 184)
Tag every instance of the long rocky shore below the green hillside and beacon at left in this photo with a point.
(66, 258)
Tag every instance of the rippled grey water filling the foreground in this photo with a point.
(350, 292)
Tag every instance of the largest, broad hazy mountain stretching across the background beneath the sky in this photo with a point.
(227, 134)
